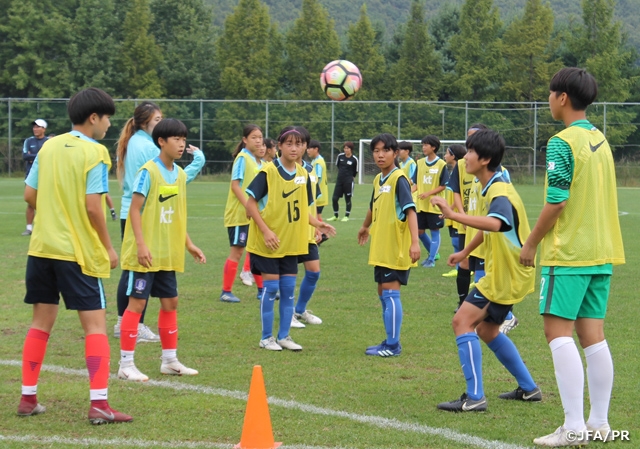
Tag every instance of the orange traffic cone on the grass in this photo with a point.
(256, 431)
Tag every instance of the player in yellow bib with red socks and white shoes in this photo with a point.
(155, 238)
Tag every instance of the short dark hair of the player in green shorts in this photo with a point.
(579, 85)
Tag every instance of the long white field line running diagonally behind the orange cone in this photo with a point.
(377, 421)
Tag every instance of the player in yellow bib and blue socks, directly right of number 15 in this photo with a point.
(391, 221)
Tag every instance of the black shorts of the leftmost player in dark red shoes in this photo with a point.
(46, 279)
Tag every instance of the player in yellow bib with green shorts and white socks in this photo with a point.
(580, 238)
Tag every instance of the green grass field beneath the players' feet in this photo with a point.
(330, 394)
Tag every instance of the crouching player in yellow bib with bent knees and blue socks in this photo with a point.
(504, 226)
